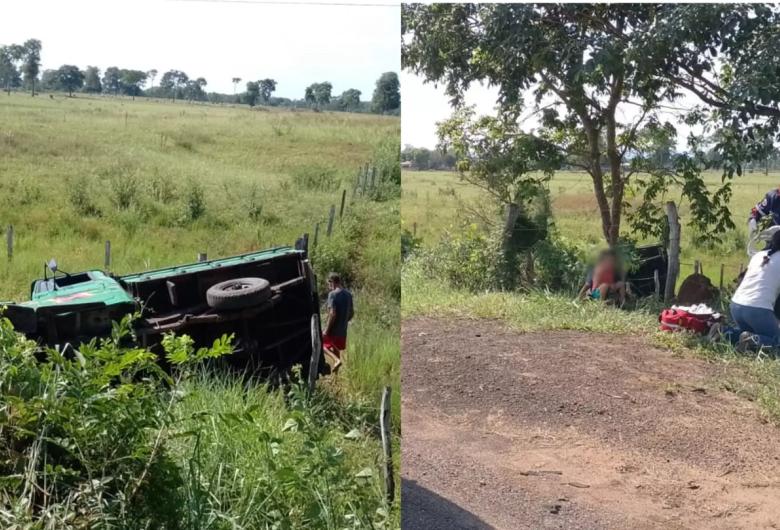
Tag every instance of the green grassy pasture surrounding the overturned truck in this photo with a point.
(164, 182)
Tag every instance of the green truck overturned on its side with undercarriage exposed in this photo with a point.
(268, 300)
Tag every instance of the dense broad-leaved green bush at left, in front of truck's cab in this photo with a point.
(88, 433)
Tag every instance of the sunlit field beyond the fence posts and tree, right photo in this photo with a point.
(428, 201)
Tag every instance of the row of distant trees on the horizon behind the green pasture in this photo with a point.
(20, 69)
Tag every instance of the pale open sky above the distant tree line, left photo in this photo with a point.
(297, 45)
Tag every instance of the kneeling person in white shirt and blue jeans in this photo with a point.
(752, 306)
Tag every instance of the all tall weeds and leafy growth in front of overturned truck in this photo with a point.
(88, 443)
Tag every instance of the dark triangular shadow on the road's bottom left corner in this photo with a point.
(424, 510)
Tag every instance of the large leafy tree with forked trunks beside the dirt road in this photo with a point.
(585, 65)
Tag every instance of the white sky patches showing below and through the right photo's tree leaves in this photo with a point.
(425, 104)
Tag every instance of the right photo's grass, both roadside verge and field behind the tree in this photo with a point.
(428, 201)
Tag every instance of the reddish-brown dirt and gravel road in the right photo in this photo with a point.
(570, 430)
